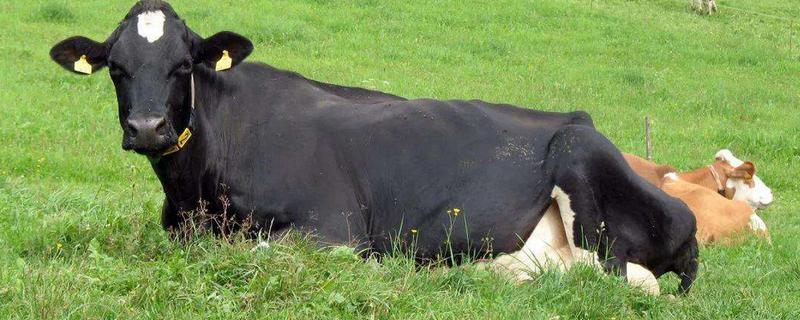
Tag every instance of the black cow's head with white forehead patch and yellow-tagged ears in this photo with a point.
(152, 56)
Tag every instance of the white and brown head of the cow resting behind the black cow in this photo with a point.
(742, 180)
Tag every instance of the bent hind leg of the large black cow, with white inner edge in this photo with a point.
(611, 215)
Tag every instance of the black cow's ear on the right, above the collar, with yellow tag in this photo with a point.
(223, 50)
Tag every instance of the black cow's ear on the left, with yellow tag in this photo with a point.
(80, 55)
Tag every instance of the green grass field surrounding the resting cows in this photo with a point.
(80, 236)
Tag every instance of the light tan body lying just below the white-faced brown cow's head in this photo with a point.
(718, 219)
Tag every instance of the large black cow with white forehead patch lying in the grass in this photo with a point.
(359, 166)
